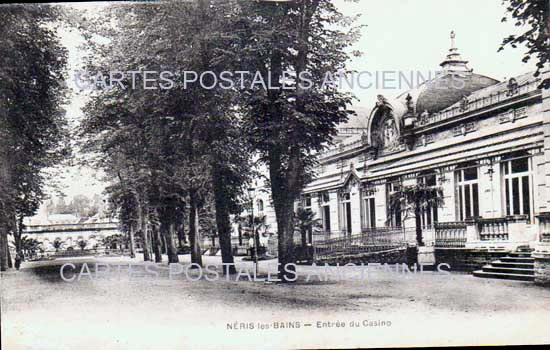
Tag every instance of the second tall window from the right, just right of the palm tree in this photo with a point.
(467, 190)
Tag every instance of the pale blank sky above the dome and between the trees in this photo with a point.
(400, 35)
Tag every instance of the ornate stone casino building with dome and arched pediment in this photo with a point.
(485, 144)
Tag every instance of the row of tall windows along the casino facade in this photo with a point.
(516, 195)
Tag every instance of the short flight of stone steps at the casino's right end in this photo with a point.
(517, 266)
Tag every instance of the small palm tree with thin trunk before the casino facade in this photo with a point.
(414, 200)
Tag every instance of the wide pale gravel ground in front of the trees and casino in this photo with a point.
(115, 311)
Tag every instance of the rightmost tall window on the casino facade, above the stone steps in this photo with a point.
(516, 170)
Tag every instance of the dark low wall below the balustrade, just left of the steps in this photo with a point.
(466, 259)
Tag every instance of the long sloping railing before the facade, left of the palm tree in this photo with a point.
(371, 240)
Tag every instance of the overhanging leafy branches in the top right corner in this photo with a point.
(535, 15)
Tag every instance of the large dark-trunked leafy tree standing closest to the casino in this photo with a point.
(288, 124)
